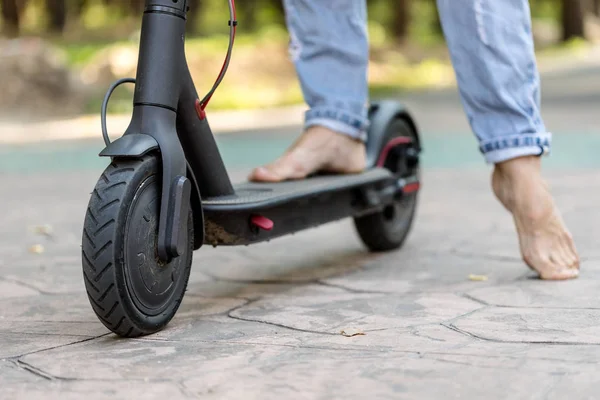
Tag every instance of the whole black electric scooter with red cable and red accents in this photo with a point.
(166, 192)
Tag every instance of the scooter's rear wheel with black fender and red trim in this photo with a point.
(387, 230)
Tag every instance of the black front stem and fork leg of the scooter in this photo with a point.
(155, 110)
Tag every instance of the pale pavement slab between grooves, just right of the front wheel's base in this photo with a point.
(333, 310)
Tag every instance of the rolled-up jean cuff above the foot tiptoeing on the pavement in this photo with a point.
(504, 149)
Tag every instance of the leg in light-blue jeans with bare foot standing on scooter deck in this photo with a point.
(330, 50)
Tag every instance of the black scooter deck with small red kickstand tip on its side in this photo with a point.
(262, 211)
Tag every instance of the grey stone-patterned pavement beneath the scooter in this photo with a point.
(265, 322)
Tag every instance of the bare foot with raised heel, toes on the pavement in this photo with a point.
(546, 244)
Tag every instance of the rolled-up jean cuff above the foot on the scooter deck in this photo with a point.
(338, 121)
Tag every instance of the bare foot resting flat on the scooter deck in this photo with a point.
(318, 150)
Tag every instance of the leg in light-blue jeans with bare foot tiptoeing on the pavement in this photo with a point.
(492, 51)
